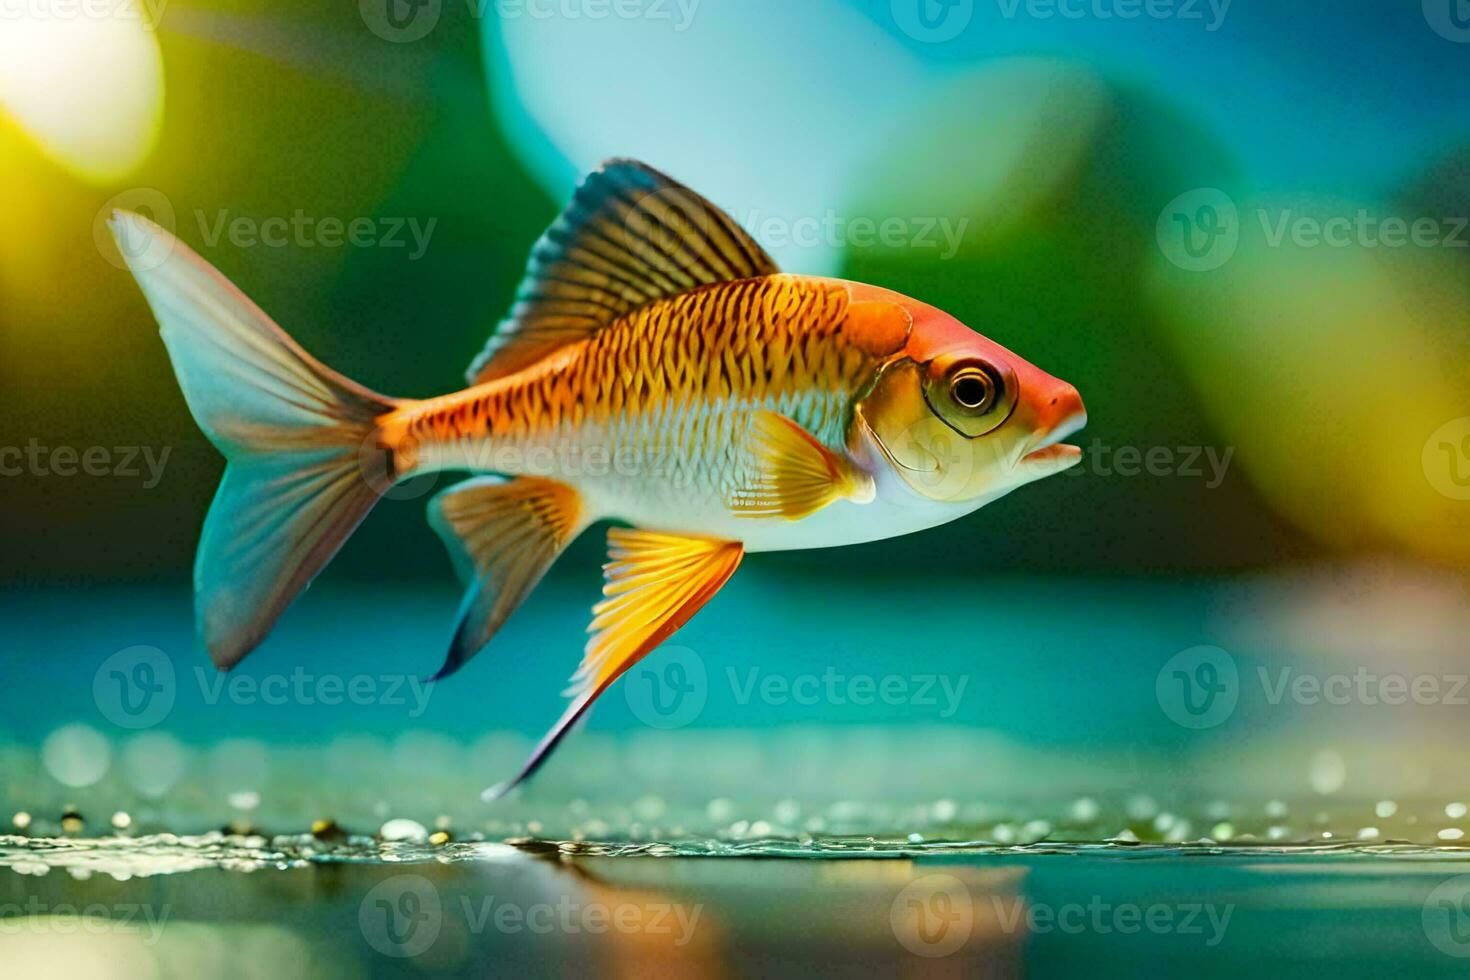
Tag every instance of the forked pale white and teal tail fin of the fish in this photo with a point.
(304, 465)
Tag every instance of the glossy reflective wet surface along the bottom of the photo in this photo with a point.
(242, 907)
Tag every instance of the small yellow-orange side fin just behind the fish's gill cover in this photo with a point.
(796, 474)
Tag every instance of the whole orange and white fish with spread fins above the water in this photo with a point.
(658, 372)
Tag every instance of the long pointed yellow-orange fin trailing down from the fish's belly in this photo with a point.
(655, 584)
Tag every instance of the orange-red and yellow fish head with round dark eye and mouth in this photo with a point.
(962, 419)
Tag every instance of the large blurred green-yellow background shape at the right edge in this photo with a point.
(1334, 367)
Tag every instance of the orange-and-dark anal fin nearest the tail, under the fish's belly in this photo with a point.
(503, 536)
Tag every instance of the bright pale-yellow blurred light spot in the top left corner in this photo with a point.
(86, 82)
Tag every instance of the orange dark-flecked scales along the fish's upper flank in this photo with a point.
(774, 343)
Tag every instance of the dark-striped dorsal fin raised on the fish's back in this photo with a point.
(631, 236)
